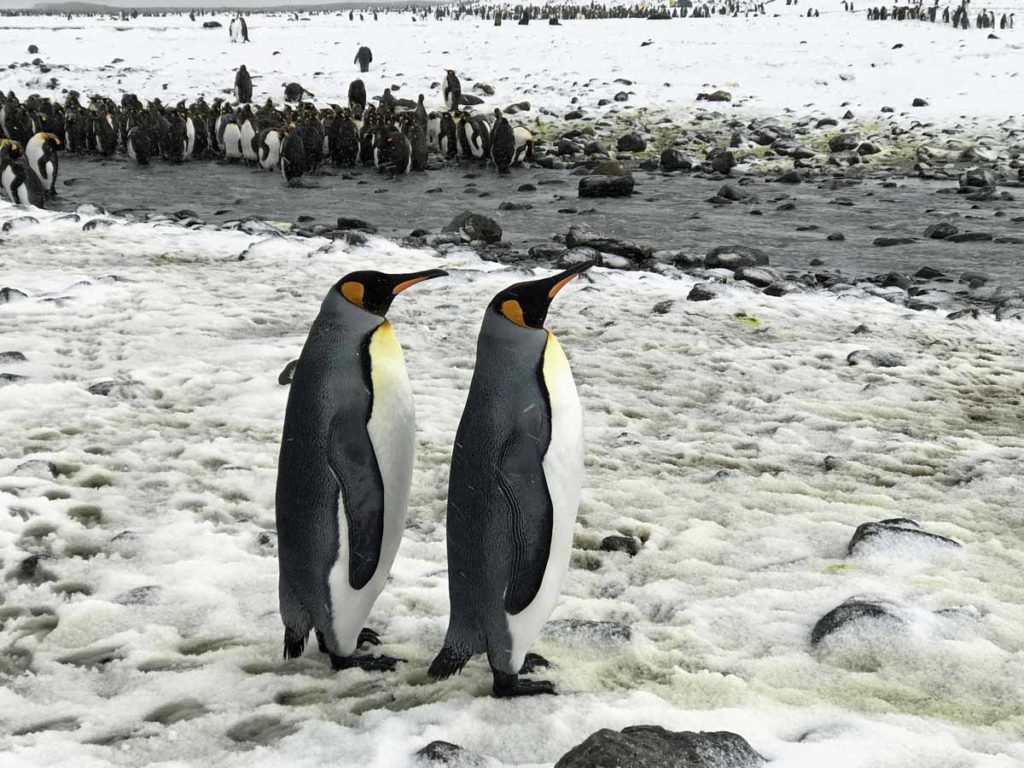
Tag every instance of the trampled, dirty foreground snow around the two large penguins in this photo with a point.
(148, 631)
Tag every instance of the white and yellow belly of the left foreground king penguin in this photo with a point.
(393, 435)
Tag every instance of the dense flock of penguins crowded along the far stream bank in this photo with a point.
(397, 137)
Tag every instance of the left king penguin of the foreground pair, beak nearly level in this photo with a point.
(346, 470)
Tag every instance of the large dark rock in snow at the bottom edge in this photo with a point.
(654, 747)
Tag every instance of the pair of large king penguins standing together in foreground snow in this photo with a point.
(346, 473)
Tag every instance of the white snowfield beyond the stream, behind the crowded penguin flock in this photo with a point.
(812, 66)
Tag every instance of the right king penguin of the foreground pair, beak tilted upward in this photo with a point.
(514, 490)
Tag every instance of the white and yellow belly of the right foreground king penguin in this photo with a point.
(564, 476)
